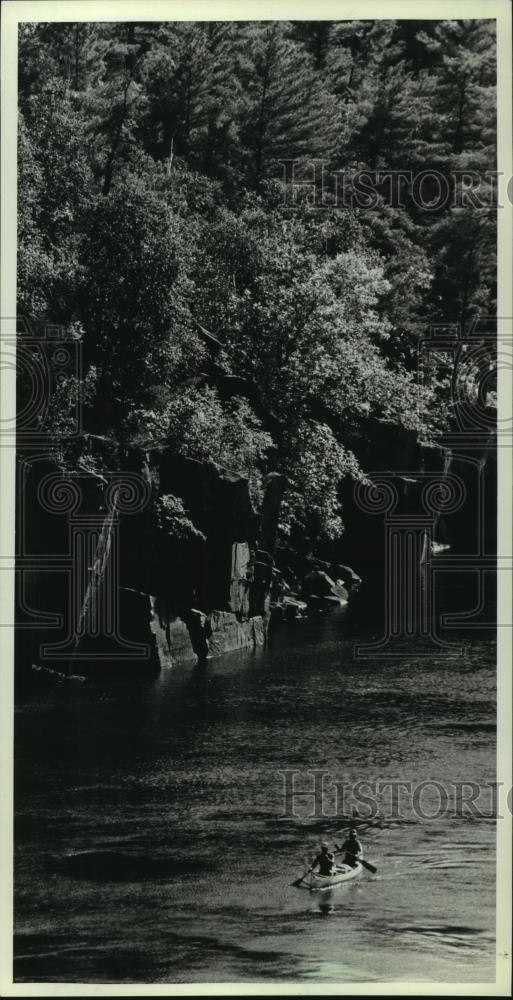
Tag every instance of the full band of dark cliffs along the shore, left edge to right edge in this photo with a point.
(143, 559)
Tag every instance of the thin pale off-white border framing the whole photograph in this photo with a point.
(14, 12)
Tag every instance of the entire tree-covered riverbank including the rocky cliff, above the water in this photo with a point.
(247, 354)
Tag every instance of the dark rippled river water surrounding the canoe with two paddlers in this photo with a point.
(154, 843)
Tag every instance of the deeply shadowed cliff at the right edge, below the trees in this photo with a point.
(444, 499)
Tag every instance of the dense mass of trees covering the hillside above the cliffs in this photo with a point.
(222, 313)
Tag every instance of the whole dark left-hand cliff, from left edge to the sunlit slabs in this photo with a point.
(158, 563)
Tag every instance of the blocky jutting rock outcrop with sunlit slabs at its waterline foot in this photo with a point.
(208, 583)
